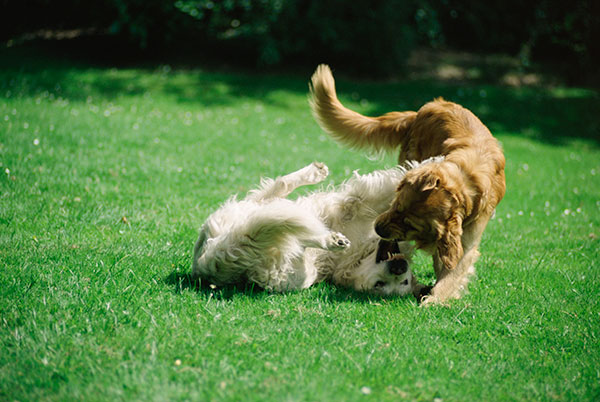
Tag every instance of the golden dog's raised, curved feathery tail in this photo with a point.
(349, 127)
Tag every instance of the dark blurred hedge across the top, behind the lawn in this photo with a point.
(371, 36)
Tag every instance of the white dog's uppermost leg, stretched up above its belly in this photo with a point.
(282, 186)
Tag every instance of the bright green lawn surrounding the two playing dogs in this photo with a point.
(106, 174)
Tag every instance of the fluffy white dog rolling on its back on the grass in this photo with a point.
(283, 244)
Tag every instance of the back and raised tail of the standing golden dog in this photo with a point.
(439, 128)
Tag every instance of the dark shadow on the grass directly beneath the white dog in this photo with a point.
(323, 292)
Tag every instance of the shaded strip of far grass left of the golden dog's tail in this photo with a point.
(31, 73)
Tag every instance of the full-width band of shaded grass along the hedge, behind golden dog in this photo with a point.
(549, 115)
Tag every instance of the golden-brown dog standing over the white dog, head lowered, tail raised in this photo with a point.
(444, 206)
